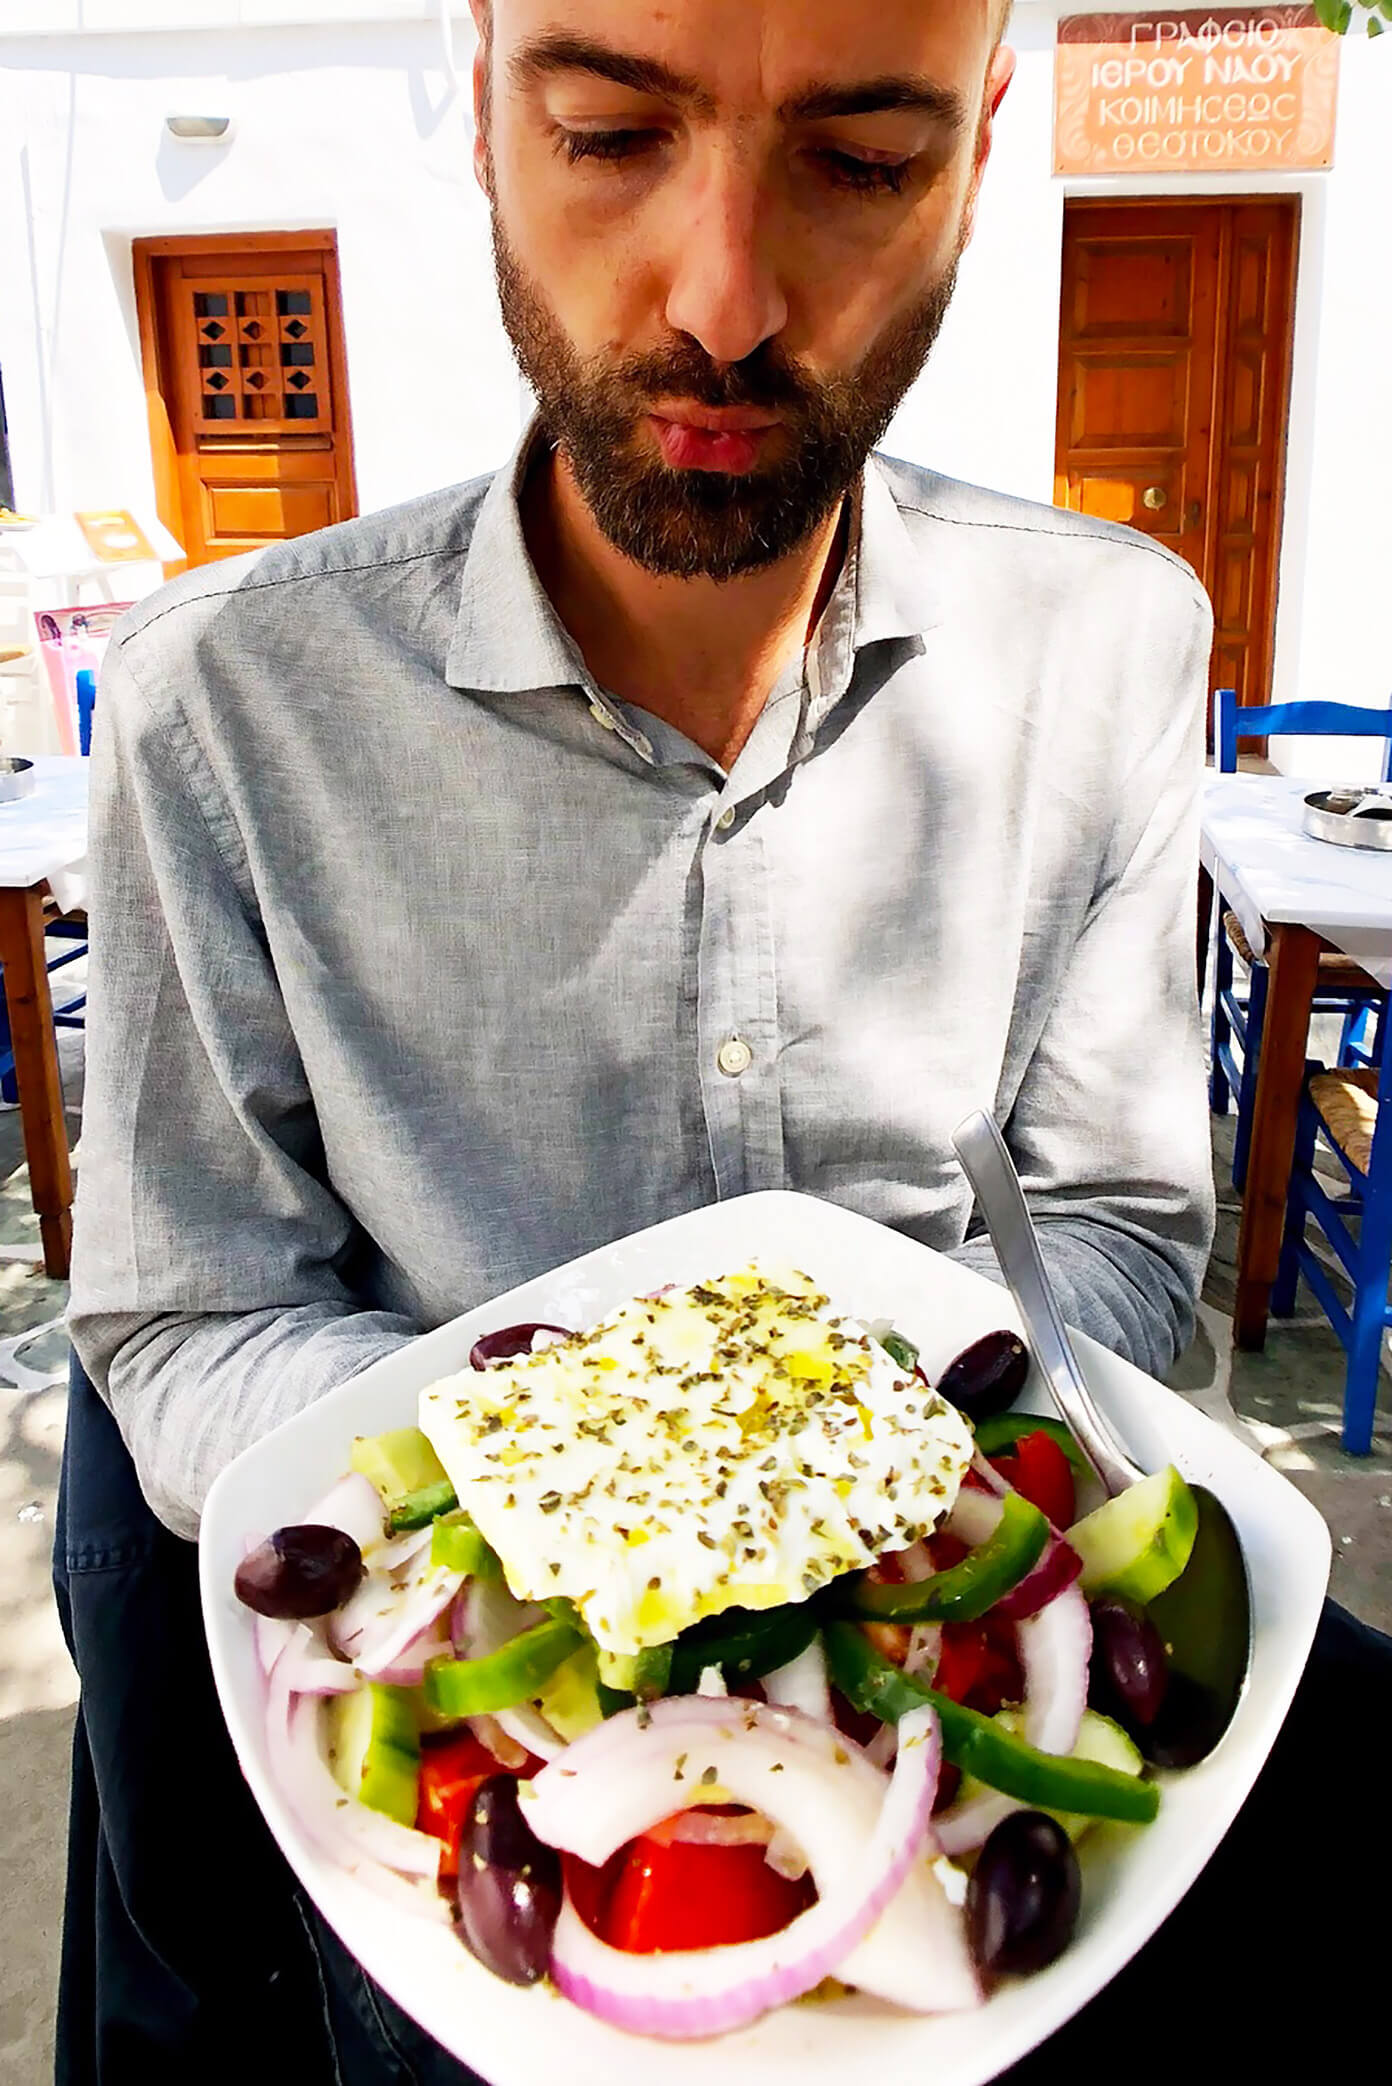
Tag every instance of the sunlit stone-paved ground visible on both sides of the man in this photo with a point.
(1285, 1401)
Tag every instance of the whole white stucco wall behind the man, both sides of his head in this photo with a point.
(356, 126)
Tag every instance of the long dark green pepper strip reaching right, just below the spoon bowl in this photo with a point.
(980, 1747)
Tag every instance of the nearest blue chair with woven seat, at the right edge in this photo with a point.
(1349, 1111)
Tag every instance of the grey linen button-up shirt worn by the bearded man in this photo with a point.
(423, 965)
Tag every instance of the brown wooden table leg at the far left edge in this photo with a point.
(37, 1073)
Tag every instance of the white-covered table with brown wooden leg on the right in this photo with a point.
(1295, 898)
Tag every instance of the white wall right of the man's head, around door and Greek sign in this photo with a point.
(986, 406)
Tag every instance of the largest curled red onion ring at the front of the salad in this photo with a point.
(863, 1843)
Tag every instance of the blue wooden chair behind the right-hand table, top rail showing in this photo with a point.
(1343, 986)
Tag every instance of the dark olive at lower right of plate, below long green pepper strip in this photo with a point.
(1024, 1895)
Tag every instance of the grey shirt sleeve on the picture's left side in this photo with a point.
(210, 1292)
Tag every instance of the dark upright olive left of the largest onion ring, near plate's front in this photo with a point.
(510, 1887)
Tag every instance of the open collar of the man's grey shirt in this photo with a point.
(508, 637)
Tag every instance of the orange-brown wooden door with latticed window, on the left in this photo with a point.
(247, 389)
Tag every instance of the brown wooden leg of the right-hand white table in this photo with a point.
(1293, 959)
